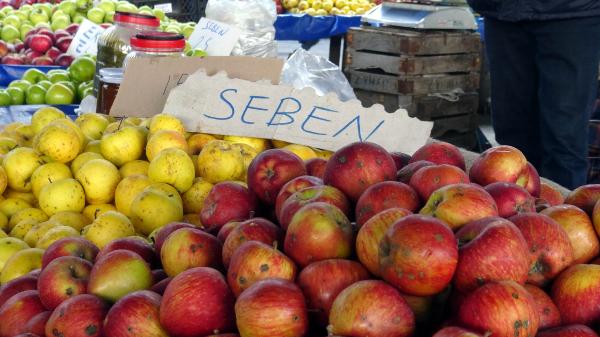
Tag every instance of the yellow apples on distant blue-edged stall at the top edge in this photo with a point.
(328, 7)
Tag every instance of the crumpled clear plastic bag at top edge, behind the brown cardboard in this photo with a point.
(255, 18)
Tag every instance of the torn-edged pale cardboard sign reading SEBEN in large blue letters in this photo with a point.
(222, 105)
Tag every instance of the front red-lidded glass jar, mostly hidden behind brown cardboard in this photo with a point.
(156, 44)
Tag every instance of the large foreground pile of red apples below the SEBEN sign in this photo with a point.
(338, 251)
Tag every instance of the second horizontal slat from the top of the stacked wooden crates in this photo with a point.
(412, 65)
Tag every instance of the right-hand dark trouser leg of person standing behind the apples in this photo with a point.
(567, 60)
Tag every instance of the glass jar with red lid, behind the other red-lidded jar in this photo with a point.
(113, 43)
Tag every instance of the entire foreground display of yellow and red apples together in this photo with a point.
(135, 227)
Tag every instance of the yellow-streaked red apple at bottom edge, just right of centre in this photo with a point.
(371, 308)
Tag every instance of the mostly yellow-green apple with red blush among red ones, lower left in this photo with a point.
(119, 273)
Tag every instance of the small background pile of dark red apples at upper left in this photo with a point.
(41, 47)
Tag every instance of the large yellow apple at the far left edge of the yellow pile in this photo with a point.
(20, 164)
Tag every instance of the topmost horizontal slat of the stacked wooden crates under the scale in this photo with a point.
(401, 41)
